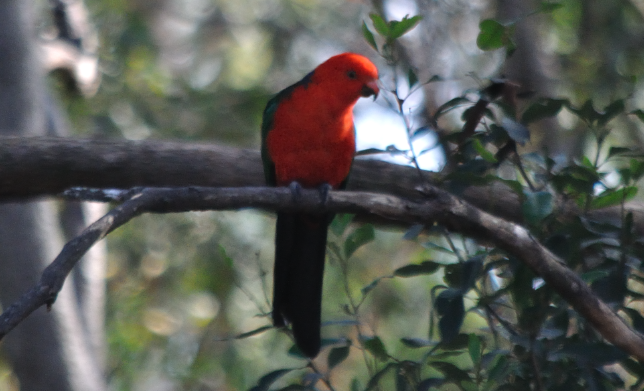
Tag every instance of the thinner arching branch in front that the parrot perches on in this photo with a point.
(439, 206)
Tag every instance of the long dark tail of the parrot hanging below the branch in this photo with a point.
(300, 246)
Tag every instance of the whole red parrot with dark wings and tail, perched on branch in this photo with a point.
(308, 137)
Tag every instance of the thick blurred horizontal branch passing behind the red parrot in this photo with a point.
(40, 166)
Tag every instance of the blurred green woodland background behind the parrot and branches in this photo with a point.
(181, 290)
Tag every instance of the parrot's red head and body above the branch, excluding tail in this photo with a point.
(312, 139)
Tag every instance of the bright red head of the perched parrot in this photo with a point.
(349, 75)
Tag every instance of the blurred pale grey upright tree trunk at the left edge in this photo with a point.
(49, 351)
